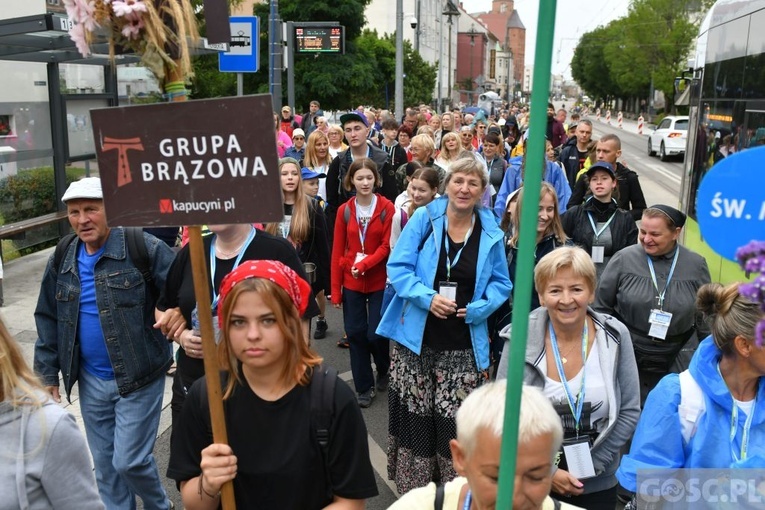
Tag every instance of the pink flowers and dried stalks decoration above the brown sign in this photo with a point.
(157, 30)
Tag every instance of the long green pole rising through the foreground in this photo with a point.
(526, 243)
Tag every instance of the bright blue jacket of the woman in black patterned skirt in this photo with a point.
(412, 269)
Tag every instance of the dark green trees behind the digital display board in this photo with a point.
(364, 75)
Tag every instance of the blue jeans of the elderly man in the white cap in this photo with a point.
(121, 432)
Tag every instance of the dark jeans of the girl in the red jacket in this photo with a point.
(361, 315)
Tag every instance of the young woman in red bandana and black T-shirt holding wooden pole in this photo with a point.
(272, 447)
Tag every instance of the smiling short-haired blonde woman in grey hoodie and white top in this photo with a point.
(584, 363)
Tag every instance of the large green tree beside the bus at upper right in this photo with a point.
(653, 41)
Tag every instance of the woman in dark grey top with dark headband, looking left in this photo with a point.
(651, 287)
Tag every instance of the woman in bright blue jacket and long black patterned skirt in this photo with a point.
(449, 272)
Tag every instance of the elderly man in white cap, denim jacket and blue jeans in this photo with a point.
(95, 318)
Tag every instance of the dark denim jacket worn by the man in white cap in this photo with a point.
(138, 352)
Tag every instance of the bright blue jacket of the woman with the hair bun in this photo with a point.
(658, 441)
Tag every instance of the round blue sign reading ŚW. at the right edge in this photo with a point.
(730, 204)
